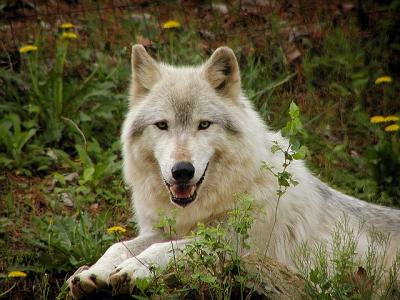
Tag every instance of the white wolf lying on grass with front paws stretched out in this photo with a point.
(191, 140)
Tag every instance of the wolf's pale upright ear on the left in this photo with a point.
(145, 72)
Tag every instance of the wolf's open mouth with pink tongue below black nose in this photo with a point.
(183, 194)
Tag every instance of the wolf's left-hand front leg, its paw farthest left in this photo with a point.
(86, 281)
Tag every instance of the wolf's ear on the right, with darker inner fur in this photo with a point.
(222, 72)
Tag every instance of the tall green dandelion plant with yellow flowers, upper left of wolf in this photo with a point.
(60, 101)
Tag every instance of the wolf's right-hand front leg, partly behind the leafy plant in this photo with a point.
(122, 279)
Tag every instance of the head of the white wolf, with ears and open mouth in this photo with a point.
(181, 120)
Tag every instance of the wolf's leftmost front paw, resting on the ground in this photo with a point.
(86, 281)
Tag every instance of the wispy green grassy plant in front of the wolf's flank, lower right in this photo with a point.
(334, 271)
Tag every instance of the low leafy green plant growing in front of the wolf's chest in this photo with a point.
(210, 265)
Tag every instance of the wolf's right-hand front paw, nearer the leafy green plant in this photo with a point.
(122, 279)
